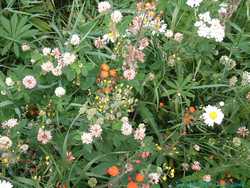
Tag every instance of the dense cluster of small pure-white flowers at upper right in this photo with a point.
(210, 28)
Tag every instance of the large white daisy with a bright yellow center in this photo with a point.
(212, 115)
